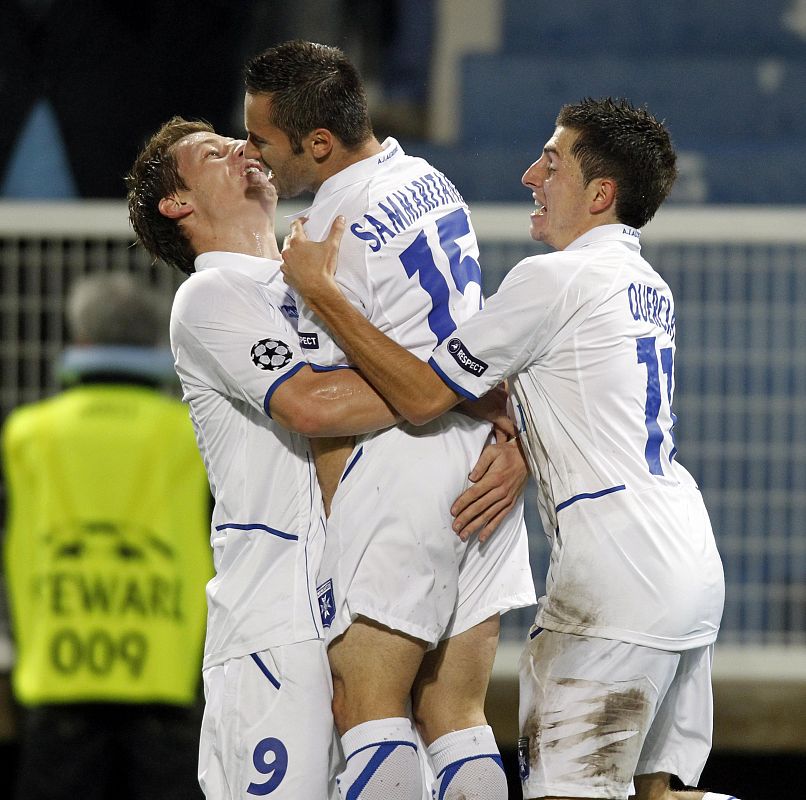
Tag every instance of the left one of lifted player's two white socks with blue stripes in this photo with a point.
(382, 762)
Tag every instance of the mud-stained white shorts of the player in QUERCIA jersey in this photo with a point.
(596, 712)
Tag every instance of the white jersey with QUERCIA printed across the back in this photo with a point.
(589, 333)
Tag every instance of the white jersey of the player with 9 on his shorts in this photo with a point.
(234, 344)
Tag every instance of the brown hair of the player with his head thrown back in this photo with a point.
(155, 175)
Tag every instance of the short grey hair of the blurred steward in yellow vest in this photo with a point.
(115, 309)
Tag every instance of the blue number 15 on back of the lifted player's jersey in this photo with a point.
(418, 260)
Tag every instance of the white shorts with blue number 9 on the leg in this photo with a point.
(268, 726)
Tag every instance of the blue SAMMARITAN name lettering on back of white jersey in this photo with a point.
(399, 210)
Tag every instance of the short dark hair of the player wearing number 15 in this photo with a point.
(311, 86)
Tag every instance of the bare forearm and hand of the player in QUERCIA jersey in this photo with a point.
(410, 385)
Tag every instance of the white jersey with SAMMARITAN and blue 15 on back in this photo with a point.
(409, 258)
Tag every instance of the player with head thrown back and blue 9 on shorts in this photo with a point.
(197, 203)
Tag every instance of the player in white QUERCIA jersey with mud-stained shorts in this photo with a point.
(616, 676)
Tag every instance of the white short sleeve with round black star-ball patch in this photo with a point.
(227, 334)
